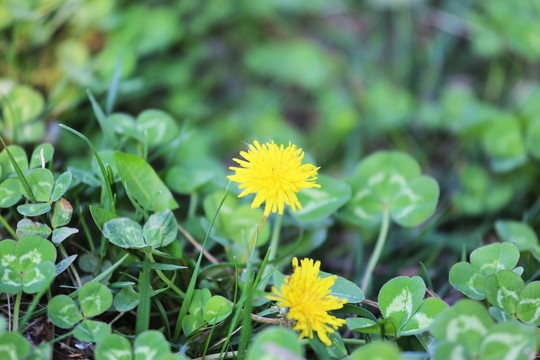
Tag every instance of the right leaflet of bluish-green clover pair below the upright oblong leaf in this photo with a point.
(160, 229)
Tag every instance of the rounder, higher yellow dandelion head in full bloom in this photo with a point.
(275, 174)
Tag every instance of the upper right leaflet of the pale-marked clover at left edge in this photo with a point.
(33, 250)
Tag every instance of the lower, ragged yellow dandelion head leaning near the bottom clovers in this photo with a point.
(306, 296)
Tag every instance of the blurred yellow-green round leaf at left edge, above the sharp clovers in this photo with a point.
(22, 104)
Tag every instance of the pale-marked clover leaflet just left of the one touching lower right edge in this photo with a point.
(502, 290)
